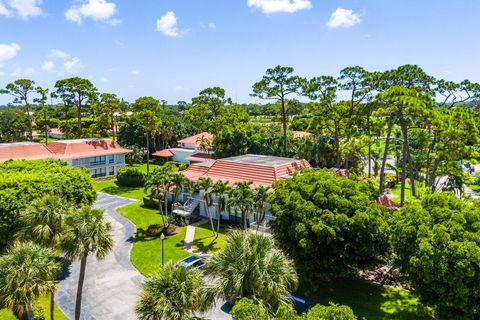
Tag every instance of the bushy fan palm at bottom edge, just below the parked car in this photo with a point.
(174, 293)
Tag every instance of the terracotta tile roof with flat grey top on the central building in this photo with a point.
(261, 170)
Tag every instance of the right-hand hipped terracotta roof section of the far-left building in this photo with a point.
(82, 148)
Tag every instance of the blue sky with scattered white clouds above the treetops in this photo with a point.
(172, 49)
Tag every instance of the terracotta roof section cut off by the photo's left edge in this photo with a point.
(23, 150)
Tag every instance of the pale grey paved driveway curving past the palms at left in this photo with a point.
(111, 285)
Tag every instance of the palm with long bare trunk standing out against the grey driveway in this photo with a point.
(88, 233)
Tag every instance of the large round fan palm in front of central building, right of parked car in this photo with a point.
(252, 266)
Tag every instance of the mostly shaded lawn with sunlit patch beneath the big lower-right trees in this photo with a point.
(368, 300)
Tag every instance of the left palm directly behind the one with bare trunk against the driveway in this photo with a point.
(44, 223)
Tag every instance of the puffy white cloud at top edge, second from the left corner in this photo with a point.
(97, 10)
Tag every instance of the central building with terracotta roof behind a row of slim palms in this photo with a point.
(259, 169)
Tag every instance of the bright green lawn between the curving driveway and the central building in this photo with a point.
(146, 254)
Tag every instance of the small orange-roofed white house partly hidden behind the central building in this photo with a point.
(193, 149)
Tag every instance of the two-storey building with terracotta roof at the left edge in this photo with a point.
(102, 157)
